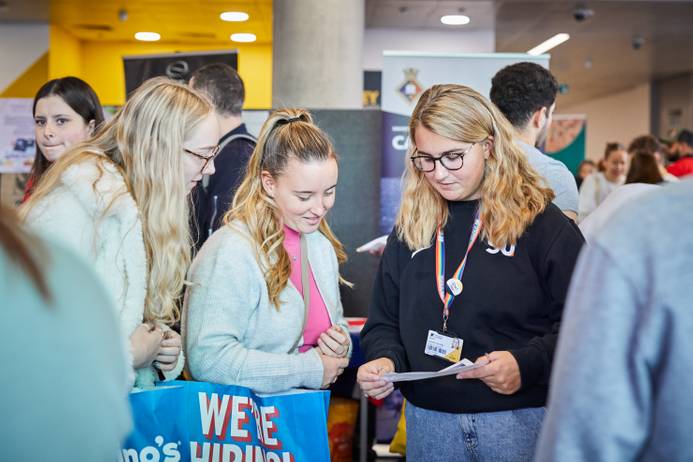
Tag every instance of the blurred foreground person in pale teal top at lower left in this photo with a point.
(64, 381)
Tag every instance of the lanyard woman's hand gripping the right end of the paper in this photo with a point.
(501, 374)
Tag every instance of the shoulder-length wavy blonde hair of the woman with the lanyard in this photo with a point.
(512, 193)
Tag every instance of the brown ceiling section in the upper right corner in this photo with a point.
(600, 58)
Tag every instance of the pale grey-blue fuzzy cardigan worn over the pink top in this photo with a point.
(234, 335)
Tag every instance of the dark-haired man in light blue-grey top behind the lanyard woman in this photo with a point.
(526, 94)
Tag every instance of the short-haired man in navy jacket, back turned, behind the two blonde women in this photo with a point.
(224, 88)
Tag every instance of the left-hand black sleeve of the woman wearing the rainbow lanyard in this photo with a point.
(380, 336)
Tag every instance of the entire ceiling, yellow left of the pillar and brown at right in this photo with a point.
(599, 58)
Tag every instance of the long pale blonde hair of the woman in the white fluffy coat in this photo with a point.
(144, 142)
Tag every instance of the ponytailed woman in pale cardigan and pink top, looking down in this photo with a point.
(263, 310)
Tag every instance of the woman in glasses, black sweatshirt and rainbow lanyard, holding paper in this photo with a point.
(480, 260)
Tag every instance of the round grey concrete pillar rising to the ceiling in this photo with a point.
(317, 53)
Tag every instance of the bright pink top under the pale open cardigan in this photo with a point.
(318, 317)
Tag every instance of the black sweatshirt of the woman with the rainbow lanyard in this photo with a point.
(509, 303)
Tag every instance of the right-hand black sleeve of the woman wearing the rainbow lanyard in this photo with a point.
(555, 270)
